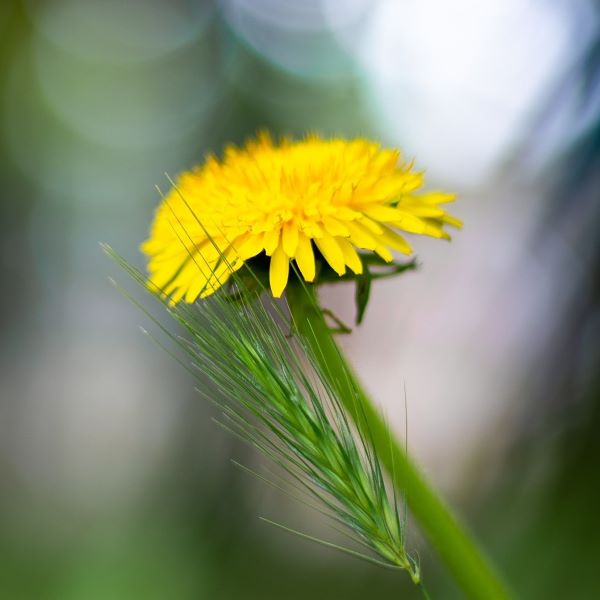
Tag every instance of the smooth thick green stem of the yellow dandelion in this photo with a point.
(464, 559)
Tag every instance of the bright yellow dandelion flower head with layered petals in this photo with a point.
(280, 199)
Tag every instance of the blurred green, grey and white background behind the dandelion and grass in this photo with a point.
(114, 482)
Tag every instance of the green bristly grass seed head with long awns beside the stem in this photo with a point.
(244, 352)
